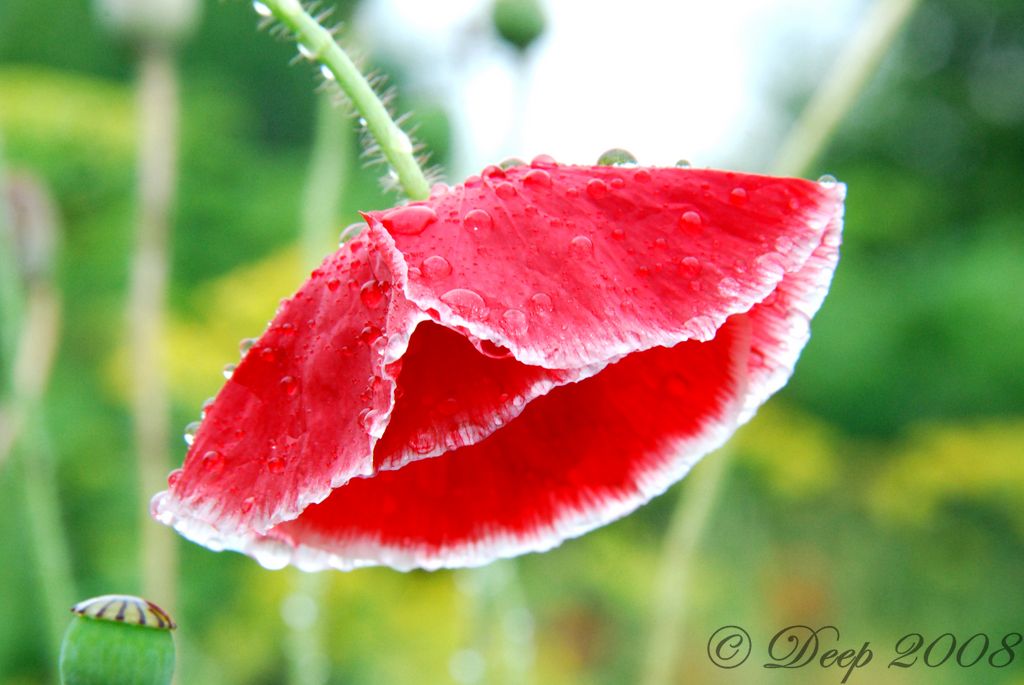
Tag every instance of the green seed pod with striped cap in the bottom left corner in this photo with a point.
(118, 640)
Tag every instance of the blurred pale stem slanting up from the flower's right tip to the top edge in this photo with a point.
(842, 87)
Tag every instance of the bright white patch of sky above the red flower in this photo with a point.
(663, 79)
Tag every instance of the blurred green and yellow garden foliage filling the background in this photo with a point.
(881, 492)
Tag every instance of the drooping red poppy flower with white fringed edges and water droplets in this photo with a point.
(513, 363)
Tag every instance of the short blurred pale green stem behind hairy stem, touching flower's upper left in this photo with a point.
(327, 177)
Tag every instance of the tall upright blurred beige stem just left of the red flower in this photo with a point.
(158, 112)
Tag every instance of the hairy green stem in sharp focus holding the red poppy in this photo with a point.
(320, 45)
